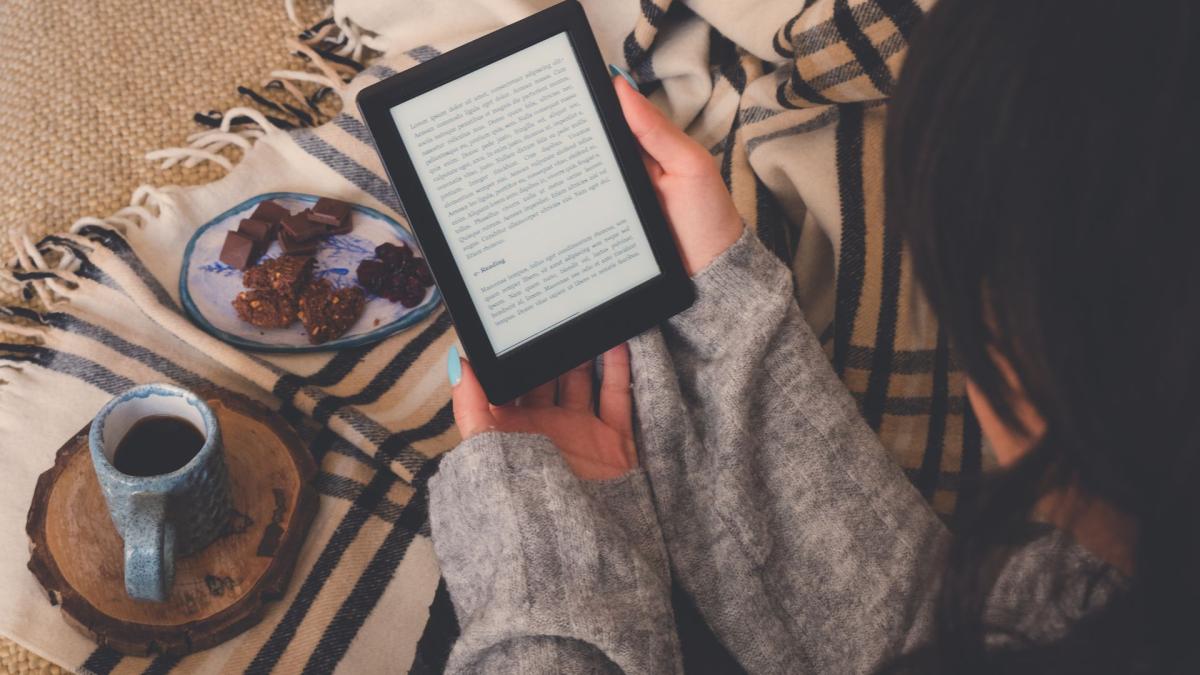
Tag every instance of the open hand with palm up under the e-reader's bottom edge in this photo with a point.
(596, 447)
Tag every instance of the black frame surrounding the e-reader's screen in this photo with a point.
(598, 330)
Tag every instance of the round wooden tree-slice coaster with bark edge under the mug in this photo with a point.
(220, 592)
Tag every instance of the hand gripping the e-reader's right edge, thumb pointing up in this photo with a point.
(687, 181)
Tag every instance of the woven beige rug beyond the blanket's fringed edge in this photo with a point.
(88, 88)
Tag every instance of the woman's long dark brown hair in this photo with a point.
(1042, 163)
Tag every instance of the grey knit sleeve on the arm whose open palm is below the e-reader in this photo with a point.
(550, 574)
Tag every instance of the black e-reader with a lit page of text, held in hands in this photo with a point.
(527, 193)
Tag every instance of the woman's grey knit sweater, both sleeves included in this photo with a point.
(761, 491)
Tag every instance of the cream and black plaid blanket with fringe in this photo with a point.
(790, 98)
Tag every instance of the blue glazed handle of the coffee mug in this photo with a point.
(149, 548)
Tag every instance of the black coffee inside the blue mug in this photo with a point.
(159, 444)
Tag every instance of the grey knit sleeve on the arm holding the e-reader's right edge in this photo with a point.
(800, 539)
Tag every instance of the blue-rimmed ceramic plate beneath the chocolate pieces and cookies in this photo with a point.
(208, 286)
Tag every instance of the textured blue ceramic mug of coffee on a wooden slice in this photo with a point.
(161, 516)
